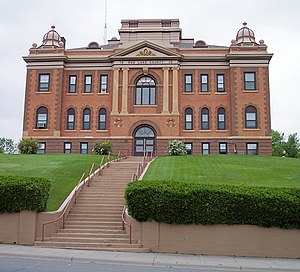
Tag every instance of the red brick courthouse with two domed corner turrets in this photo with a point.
(146, 88)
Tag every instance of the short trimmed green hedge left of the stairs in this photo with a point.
(23, 193)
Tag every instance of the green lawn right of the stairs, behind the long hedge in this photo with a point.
(227, 169)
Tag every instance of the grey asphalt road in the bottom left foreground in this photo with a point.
(17, 264)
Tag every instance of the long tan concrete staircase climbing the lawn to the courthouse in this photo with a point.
(94, 222)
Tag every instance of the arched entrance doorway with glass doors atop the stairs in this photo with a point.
(144, 140)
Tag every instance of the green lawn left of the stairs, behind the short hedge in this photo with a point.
(64, 170)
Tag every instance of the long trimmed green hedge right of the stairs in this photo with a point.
(195, 203)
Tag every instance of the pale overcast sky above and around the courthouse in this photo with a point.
(216, 22)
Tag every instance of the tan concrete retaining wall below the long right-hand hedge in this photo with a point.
(225, 240)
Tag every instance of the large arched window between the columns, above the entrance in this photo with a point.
(145, 93)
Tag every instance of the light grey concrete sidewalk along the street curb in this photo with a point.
(153, 259)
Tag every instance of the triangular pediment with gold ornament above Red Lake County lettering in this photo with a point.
(145, 50)
